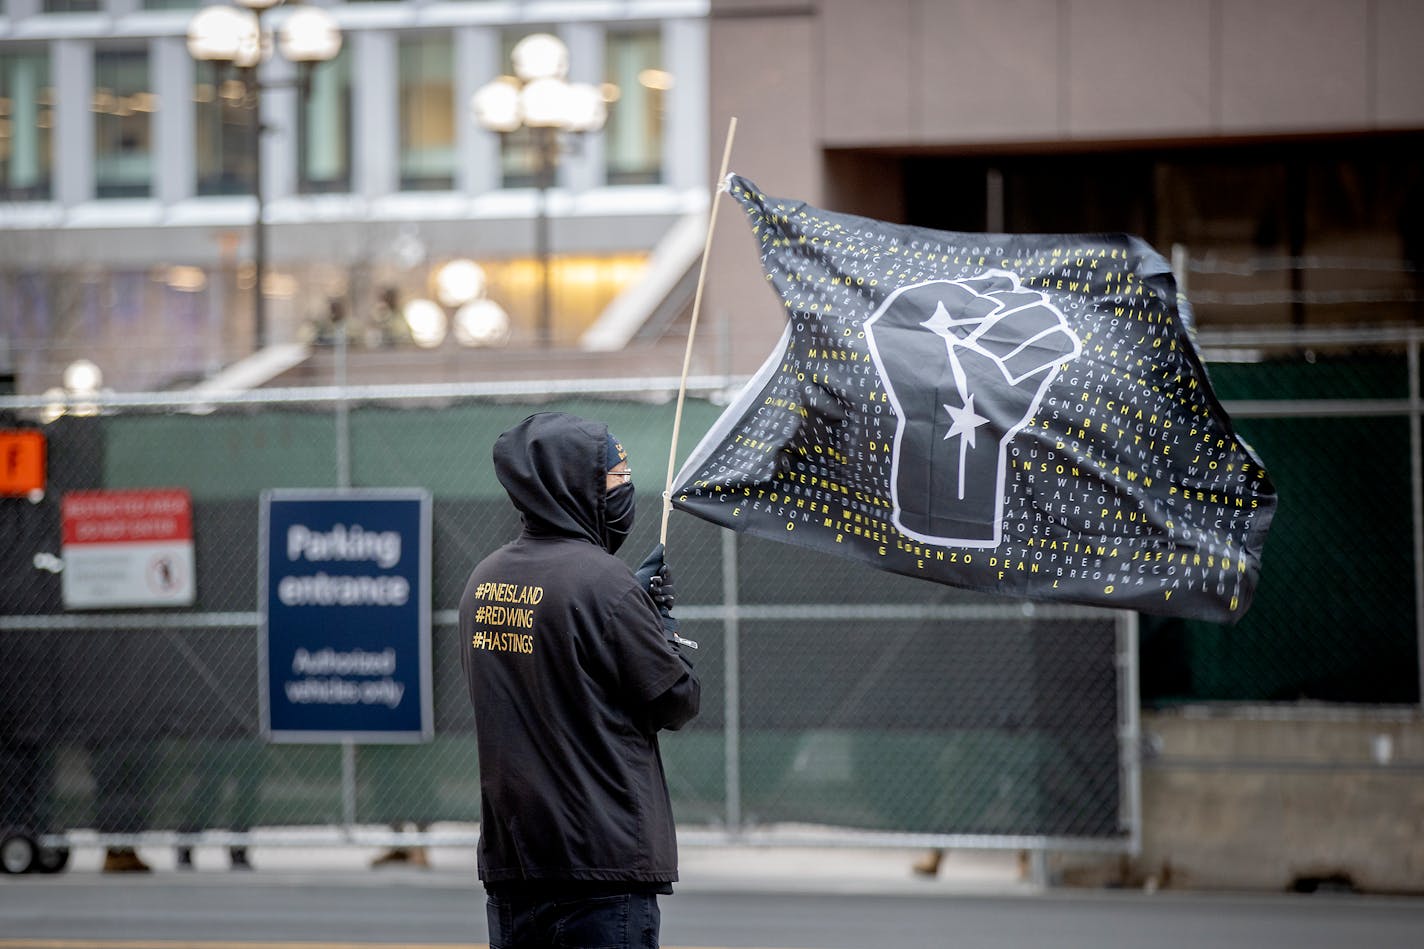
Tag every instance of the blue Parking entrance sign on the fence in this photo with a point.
(345, 601)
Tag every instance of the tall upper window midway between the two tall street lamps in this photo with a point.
(428, 113)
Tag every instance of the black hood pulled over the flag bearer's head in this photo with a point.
(555, 467)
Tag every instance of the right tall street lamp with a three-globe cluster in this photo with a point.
(542, 100)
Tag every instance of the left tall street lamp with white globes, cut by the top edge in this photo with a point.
(233, 38)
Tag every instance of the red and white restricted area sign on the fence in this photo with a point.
(127, 548)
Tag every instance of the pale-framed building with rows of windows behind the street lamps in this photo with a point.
(127, 169)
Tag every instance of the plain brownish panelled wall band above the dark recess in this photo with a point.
(943, 72)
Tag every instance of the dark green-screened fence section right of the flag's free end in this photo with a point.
(1338, 613)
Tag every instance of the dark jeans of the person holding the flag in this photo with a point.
(627, 921)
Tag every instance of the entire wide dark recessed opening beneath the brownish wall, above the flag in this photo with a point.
(1311, 233)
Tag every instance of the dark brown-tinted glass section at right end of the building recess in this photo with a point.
(1299, 233)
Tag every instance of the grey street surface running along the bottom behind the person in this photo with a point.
(837, 901)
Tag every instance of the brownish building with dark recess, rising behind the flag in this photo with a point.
(1275, 143)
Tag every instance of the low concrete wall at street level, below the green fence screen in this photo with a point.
(1269, 799)
